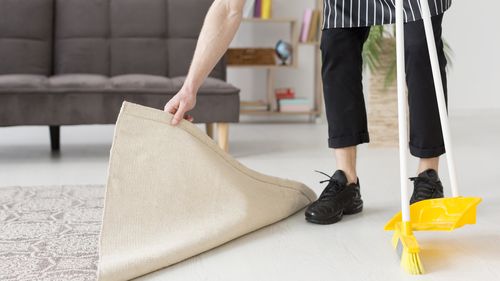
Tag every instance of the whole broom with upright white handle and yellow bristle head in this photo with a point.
(403, 240)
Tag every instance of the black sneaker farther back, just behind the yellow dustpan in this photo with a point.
(426, 186)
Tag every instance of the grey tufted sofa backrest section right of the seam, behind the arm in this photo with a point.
(113, 37)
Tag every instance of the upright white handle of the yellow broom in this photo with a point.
(402, 106)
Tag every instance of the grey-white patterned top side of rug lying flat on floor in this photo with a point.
(50, 233)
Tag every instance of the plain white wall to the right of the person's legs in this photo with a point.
(472, 28)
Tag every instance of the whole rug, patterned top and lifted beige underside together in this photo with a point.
(171, 194)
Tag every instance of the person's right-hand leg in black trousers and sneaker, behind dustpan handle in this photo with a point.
(426, 140)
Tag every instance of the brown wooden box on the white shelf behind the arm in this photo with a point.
(251, 56)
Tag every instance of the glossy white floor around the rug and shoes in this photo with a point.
(355, 249)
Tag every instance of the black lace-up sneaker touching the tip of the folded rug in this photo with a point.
(336, 200)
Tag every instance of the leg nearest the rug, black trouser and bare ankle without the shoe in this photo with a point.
(343, 91)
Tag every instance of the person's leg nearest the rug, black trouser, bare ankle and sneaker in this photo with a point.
(347, 125)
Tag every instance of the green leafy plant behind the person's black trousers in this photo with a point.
(373, 47)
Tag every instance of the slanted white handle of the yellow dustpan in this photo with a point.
(438, 84)
